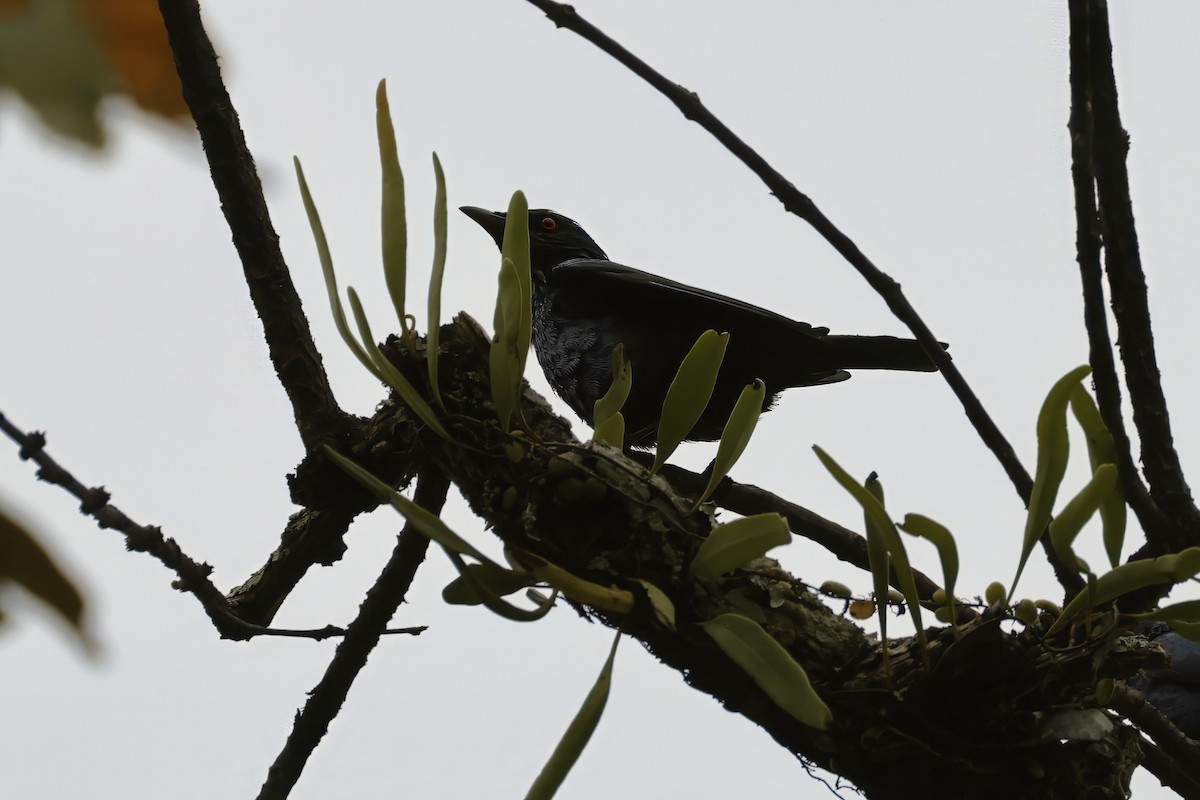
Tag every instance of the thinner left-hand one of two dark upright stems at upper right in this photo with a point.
(1088, 254)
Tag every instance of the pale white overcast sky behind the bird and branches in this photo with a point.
(933, 134)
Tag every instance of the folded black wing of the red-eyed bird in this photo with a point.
(598, 278)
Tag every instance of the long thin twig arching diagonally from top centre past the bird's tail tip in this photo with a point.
(800, 204)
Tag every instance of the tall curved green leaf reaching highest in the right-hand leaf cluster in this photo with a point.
(1054, 449)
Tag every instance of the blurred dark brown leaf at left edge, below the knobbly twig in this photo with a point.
(23, 562)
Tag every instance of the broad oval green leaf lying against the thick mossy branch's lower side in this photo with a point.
(771, 666)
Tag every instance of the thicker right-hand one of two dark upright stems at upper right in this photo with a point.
(1127, 281)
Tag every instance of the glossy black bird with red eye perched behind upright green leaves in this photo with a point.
(585, 305)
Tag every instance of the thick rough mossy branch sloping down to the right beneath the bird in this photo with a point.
(973, 721)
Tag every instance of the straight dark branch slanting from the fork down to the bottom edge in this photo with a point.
(363, 635)
